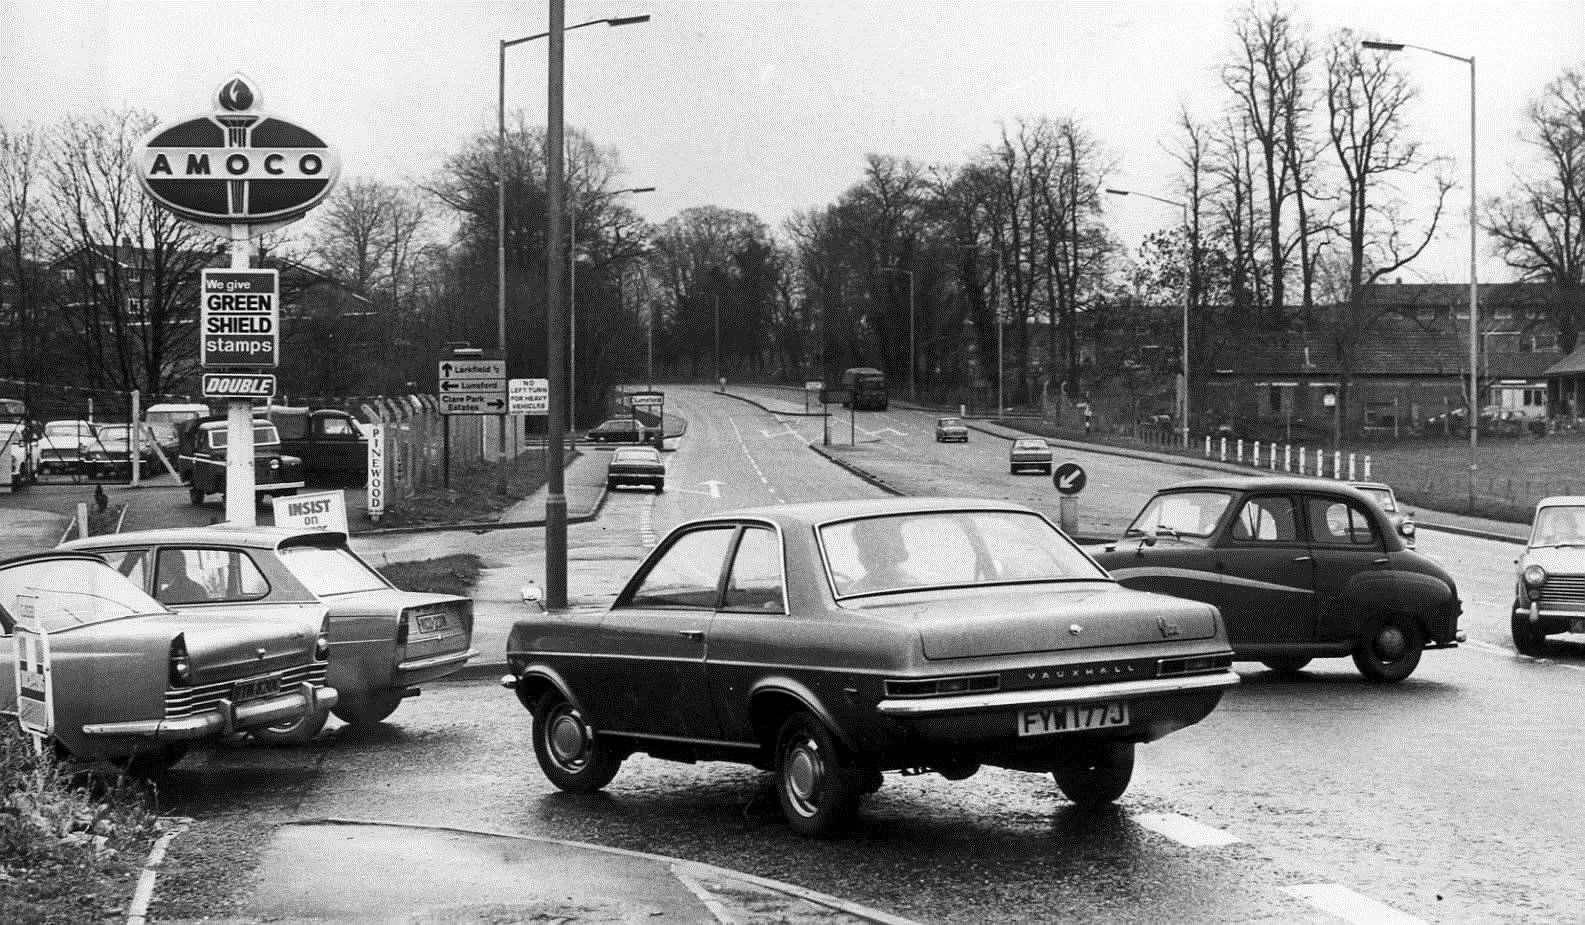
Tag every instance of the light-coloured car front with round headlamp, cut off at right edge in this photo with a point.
(1549, 590)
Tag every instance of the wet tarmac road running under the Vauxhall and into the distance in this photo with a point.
(1323, 799)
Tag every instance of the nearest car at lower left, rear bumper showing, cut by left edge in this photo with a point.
(132, 682)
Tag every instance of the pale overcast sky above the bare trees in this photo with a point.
(768, 107)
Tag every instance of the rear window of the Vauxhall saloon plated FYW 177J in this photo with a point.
(949, 549)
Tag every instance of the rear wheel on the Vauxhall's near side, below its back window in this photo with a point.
(817, 788)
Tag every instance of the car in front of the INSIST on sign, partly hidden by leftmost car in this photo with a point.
(383, 642)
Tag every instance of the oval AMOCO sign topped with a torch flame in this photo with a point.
(237, 166)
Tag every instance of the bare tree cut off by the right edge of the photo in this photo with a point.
(1540, 226)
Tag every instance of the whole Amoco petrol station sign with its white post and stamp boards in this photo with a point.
(239, 173)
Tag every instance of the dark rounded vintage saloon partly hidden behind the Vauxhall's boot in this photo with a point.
(1300, 569)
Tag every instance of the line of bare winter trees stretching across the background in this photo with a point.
(991, 280)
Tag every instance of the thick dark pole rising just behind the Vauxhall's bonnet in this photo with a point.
(556, 321)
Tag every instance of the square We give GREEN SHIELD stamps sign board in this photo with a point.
(240, 318)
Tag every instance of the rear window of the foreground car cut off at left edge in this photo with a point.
(66, 593)
